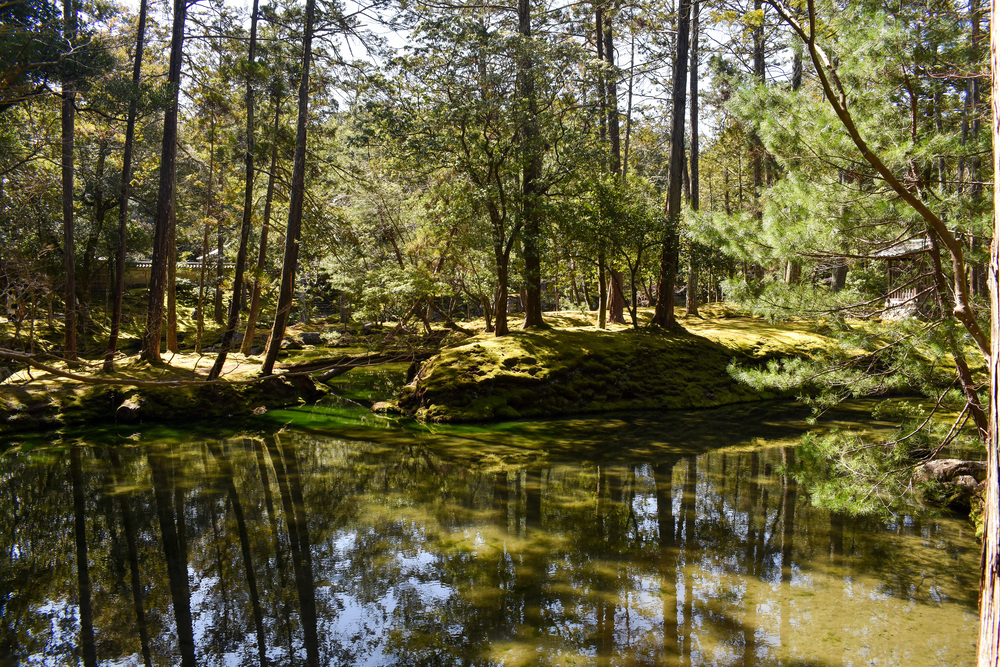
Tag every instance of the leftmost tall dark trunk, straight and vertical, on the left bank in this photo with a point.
(69, 245)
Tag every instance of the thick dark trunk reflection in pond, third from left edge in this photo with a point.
(175, 553)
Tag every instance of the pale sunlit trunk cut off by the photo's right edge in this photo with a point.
(989, 596)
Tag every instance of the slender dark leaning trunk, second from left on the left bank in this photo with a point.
(126, 187)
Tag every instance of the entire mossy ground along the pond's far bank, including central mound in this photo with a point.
(572, 367)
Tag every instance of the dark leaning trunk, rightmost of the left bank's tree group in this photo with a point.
(294, 230)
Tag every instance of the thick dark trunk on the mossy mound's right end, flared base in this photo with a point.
(664, 316)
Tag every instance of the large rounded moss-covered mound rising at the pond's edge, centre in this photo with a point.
(586, 370)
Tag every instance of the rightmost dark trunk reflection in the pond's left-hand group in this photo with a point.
(290, 487)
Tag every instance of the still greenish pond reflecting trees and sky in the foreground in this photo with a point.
(615, 540)
